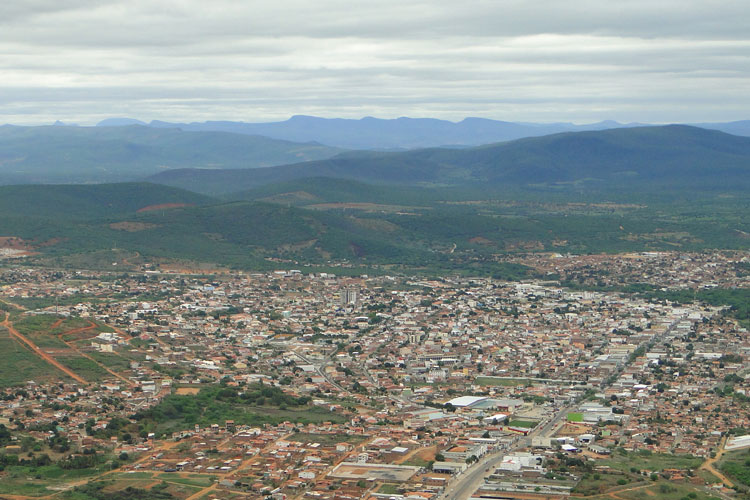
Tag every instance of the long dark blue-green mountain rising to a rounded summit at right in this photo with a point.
(617, 159)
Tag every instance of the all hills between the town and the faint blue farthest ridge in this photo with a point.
(432, 210)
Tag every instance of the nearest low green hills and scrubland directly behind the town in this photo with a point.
(336, 221)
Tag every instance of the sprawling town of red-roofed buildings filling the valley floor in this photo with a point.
(587, 381)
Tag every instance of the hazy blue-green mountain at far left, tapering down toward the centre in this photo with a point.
(59, 154)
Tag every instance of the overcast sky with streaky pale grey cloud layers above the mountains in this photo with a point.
(654, 61)
